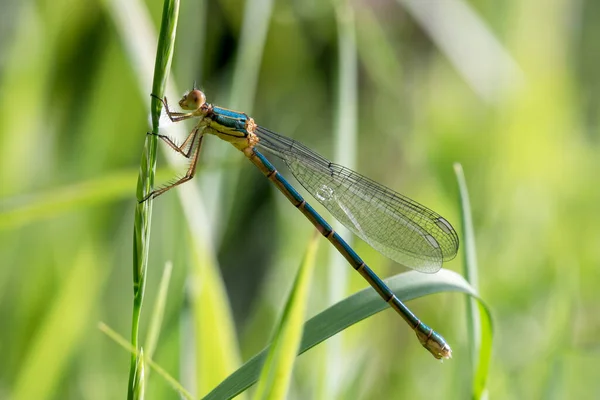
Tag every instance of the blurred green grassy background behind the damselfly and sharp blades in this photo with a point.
(509, 89)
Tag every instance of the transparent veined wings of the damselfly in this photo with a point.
(396, 226)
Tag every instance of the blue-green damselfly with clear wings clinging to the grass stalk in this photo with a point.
(391, 223)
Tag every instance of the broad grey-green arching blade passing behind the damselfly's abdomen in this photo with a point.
(407, 286)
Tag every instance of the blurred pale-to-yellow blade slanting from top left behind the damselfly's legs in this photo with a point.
(217, 352)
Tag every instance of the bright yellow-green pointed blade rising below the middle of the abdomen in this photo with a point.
(277, 370)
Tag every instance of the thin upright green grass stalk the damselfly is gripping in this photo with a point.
(143, 211)
